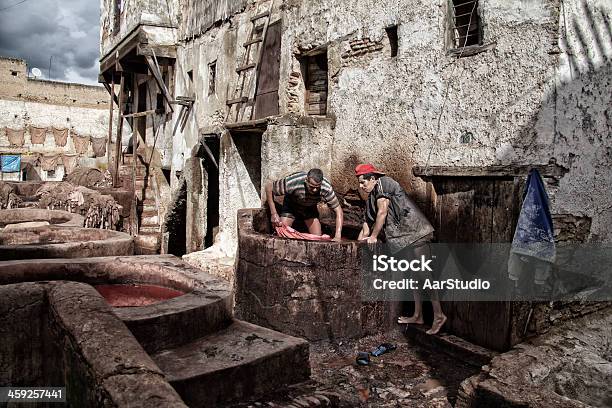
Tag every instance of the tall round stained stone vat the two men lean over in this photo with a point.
(306, 289)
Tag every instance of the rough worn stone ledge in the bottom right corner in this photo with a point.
(568, 367)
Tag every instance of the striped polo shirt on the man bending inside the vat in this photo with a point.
(294, 187)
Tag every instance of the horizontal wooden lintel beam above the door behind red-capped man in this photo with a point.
(549, 170)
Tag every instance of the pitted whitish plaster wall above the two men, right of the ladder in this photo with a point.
(387, 108)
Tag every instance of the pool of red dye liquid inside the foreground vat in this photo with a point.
(135, 295)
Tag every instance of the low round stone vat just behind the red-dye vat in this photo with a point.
(63, 242)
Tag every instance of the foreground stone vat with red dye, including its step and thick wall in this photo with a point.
(171, 344)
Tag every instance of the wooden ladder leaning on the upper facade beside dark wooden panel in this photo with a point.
(244, 96)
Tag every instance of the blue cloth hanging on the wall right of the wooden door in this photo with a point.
(533, 246)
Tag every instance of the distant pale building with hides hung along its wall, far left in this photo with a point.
(74, 112)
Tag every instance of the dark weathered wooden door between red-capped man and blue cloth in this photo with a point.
(475, 210)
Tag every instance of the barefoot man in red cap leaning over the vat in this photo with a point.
(394, 218)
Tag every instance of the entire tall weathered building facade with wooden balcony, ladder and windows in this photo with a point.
(415, 87)
